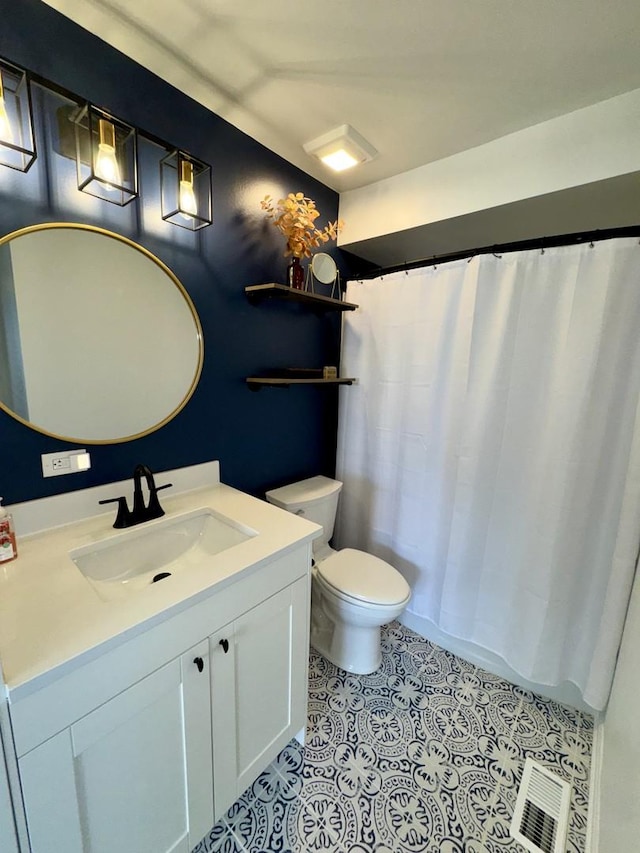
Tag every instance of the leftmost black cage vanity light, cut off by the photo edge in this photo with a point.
(17, 149)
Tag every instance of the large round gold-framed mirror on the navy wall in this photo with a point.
(99, 341)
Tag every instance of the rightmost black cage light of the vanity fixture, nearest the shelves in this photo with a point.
(186, 191)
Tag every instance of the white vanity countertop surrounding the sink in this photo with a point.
(51, 616)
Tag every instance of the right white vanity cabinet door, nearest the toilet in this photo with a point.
(259, 689)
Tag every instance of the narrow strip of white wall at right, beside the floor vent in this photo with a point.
(619, 806)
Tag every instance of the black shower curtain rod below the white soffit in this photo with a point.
(502, 248)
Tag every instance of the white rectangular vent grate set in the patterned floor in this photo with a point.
(541, 814)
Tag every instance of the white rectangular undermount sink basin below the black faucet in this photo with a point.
(132, 560)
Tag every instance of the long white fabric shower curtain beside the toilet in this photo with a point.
(491, 449)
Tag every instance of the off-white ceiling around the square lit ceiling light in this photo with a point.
(419, 79)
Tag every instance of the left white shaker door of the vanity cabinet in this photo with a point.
(133, 775)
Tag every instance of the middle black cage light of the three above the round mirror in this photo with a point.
(106, 156)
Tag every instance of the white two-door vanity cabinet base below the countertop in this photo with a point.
(144, 747)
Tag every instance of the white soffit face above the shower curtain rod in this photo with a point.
(590, 145)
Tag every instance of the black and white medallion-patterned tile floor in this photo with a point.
(423, 756)
